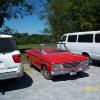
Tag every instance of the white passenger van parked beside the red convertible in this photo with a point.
(85, 43)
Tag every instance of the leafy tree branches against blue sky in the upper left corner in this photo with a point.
(14, 9)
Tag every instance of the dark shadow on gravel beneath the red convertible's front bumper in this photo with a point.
(69, 77)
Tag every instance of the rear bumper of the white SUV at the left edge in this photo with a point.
(11, 73)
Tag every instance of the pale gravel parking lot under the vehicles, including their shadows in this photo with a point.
(32, 86)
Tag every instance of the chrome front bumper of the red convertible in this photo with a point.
(66, 71)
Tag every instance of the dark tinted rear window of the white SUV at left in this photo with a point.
(7, 45)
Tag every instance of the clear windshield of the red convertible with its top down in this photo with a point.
(51, 48)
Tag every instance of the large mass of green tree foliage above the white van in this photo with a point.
(72, 15)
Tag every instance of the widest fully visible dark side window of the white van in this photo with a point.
(85, 38)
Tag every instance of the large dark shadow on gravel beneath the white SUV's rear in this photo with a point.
(10, 85)
